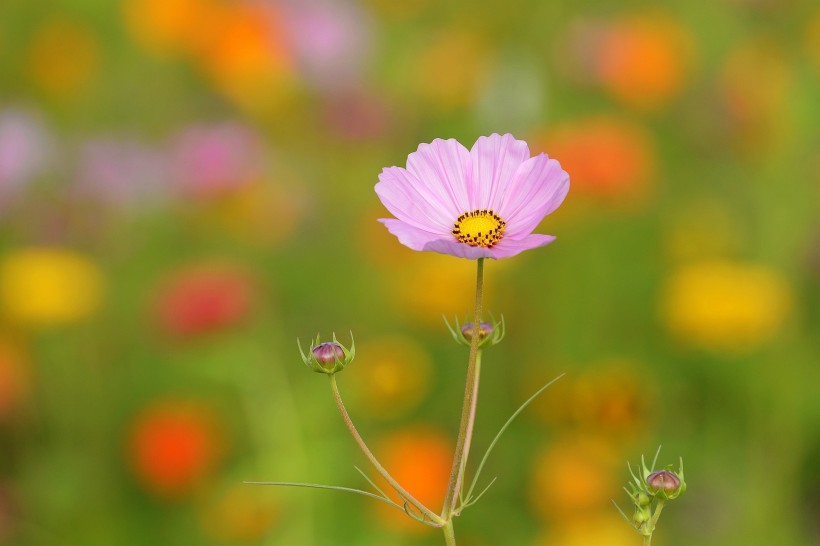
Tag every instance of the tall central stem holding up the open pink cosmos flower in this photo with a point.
(468, 407)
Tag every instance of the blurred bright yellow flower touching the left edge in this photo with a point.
(49, 286)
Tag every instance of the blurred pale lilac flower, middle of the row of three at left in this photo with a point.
(121, 172)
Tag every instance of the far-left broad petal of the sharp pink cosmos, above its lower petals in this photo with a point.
(412, 202)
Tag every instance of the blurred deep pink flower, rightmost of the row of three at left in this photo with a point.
(209, 160)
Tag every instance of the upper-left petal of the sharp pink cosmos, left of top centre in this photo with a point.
(443, 169)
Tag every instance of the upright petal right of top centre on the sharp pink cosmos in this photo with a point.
(495, 161)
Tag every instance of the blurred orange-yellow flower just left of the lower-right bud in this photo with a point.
(573, 477)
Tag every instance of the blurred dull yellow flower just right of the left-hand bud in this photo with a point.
(392, 376)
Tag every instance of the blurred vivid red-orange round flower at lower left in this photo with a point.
(173, 446)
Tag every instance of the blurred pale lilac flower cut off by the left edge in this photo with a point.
(24, 150)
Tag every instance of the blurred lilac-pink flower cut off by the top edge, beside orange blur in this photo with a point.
(330, 39)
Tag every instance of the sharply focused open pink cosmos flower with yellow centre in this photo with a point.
(481, 203)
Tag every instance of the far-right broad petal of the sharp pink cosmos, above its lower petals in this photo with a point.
(538, 188)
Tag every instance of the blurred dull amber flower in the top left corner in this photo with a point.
(63, 57)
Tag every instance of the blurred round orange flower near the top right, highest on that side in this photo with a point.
(643, 60)
